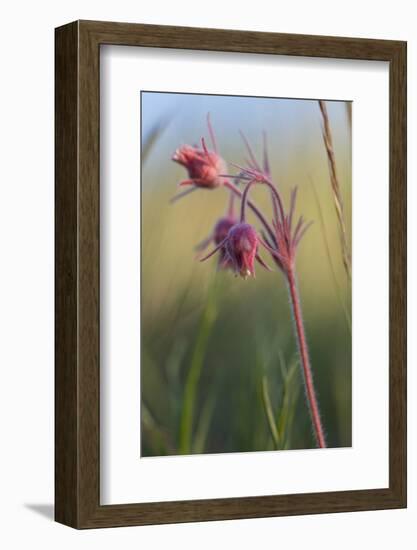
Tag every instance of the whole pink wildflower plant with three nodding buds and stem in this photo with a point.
(237, 242)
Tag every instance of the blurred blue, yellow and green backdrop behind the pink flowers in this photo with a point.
(219, 362)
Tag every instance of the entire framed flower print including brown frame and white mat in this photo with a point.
(230, 274)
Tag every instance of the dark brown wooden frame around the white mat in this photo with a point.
(77, 334)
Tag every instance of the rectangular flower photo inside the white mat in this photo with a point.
(245, 274)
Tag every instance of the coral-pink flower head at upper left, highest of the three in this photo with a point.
(204, 167)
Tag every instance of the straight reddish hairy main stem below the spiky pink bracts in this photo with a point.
(305, 360)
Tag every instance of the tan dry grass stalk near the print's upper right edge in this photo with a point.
(337, 195)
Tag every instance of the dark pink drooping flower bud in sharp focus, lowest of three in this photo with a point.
(242, 249)
